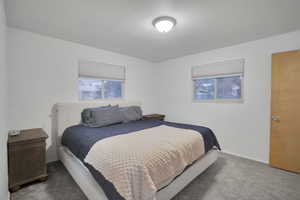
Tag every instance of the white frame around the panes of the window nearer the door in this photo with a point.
(218, 100)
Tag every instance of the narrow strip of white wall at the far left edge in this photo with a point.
(3, 105)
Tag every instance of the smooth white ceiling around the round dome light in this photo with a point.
(125, 26)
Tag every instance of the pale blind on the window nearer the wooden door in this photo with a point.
(219, 69)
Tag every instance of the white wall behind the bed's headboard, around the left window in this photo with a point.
(44, 71)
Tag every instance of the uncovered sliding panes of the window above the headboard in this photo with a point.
(91, 89)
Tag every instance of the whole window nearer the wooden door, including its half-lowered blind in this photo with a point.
(219, 82)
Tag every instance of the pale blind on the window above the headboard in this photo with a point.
(101, 70)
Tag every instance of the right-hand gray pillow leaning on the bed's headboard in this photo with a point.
(131, 113)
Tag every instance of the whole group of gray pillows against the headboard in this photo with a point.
(108, 115)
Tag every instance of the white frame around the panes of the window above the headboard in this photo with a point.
(102, 89)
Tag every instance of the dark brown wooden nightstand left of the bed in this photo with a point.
(26, 158)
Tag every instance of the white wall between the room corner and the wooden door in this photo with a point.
(242, 129)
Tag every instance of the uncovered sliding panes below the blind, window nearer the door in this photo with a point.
(220, 88)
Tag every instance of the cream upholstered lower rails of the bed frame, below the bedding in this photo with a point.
(93, 191)
